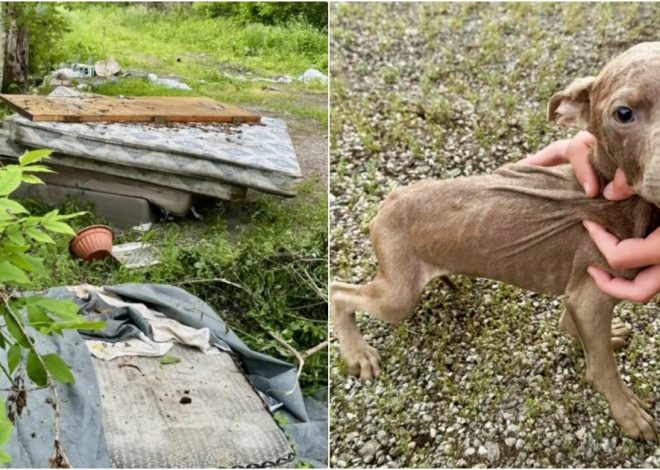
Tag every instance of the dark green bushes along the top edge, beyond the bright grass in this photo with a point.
(313, 13)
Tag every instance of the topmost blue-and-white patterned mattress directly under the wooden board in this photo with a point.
(258, 156)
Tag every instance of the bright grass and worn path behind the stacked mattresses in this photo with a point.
(210, 54)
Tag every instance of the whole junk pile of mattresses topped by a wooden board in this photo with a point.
(137, 159)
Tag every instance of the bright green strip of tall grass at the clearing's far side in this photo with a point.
(140, 37)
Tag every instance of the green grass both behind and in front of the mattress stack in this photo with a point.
(271, 258)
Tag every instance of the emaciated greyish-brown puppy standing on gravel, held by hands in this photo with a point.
(523, 225)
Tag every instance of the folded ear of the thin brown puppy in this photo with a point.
(571, 106)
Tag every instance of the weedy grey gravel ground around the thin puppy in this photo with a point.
(480, 376)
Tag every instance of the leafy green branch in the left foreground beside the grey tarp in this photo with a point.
(24, 316)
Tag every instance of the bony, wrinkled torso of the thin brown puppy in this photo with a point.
(520, 224)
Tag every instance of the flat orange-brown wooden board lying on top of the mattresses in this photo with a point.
(136, 109)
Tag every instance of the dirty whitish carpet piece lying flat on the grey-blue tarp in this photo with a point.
(200, 412)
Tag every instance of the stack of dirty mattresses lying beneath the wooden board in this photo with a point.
(168, 164)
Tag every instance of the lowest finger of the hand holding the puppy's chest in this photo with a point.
(642, 289)
